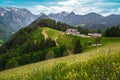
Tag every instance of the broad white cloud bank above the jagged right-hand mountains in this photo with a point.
(78, 6)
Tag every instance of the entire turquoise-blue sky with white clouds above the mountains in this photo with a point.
(104, 7)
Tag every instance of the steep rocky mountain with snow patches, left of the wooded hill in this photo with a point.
(12, 19)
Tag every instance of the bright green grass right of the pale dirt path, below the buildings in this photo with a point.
(62, 38)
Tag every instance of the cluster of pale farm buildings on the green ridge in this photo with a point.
(75, 32)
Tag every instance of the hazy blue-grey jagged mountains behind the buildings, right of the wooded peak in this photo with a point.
(91, 21)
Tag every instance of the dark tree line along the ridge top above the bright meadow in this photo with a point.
(51, 24)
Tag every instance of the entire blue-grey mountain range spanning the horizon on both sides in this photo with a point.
(12, 19)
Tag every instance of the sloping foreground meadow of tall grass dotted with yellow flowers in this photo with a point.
(100, 63)
